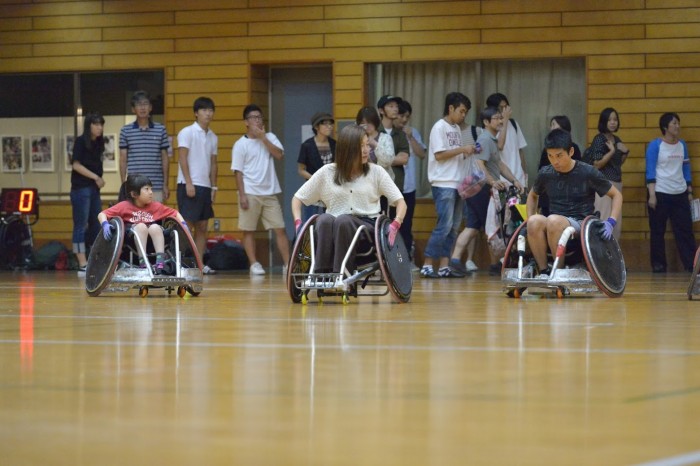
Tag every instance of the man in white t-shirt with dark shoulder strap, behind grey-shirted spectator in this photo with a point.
(511, 141)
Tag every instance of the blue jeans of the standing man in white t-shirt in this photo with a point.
(448, 206)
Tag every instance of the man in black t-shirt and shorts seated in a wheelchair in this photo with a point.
(571, 186)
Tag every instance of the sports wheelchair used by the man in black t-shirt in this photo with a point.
(583, 264)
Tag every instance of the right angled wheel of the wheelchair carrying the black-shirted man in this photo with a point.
(603, 258)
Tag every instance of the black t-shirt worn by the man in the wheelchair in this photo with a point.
(572, 194)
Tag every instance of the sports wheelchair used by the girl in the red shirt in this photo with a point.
(113, 266)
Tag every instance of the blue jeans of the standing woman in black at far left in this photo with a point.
(87, 205)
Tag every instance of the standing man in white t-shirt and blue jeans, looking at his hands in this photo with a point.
(445, 156)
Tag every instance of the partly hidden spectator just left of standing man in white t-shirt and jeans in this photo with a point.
(417, 149)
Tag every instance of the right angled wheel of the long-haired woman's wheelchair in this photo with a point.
(394, 261)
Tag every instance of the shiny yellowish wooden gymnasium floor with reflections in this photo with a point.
(461, 375)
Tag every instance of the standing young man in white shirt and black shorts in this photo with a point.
(197, 173)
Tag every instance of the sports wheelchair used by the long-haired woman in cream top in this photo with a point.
(381, 269)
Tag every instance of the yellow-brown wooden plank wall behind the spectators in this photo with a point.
(642, 58)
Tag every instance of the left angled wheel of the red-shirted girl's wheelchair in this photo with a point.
(104, 258)
